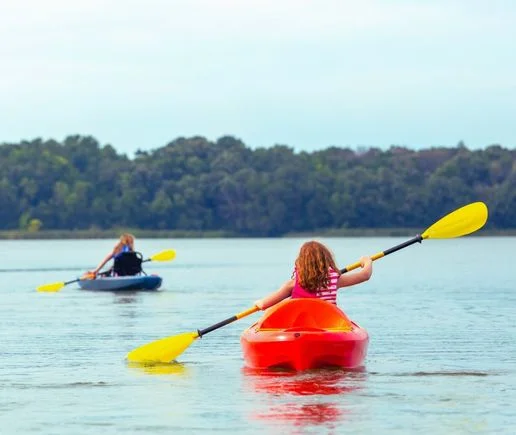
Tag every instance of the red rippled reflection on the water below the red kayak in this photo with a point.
(323, 392)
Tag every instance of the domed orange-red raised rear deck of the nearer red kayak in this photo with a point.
(304, 313)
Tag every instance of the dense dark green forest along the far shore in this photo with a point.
(200, 186)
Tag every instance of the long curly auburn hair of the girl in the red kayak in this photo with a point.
(312, 266)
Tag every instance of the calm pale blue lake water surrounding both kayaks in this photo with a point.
(442, 352)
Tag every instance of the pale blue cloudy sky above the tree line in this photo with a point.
(308, 74)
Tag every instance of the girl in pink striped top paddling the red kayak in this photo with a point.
(316, 276)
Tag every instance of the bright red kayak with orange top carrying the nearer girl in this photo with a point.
(302, 334)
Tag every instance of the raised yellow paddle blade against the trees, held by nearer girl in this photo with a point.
(464, 220)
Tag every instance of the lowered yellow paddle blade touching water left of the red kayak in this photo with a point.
(164, 350)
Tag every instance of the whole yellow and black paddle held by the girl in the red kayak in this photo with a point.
(462, 221)
